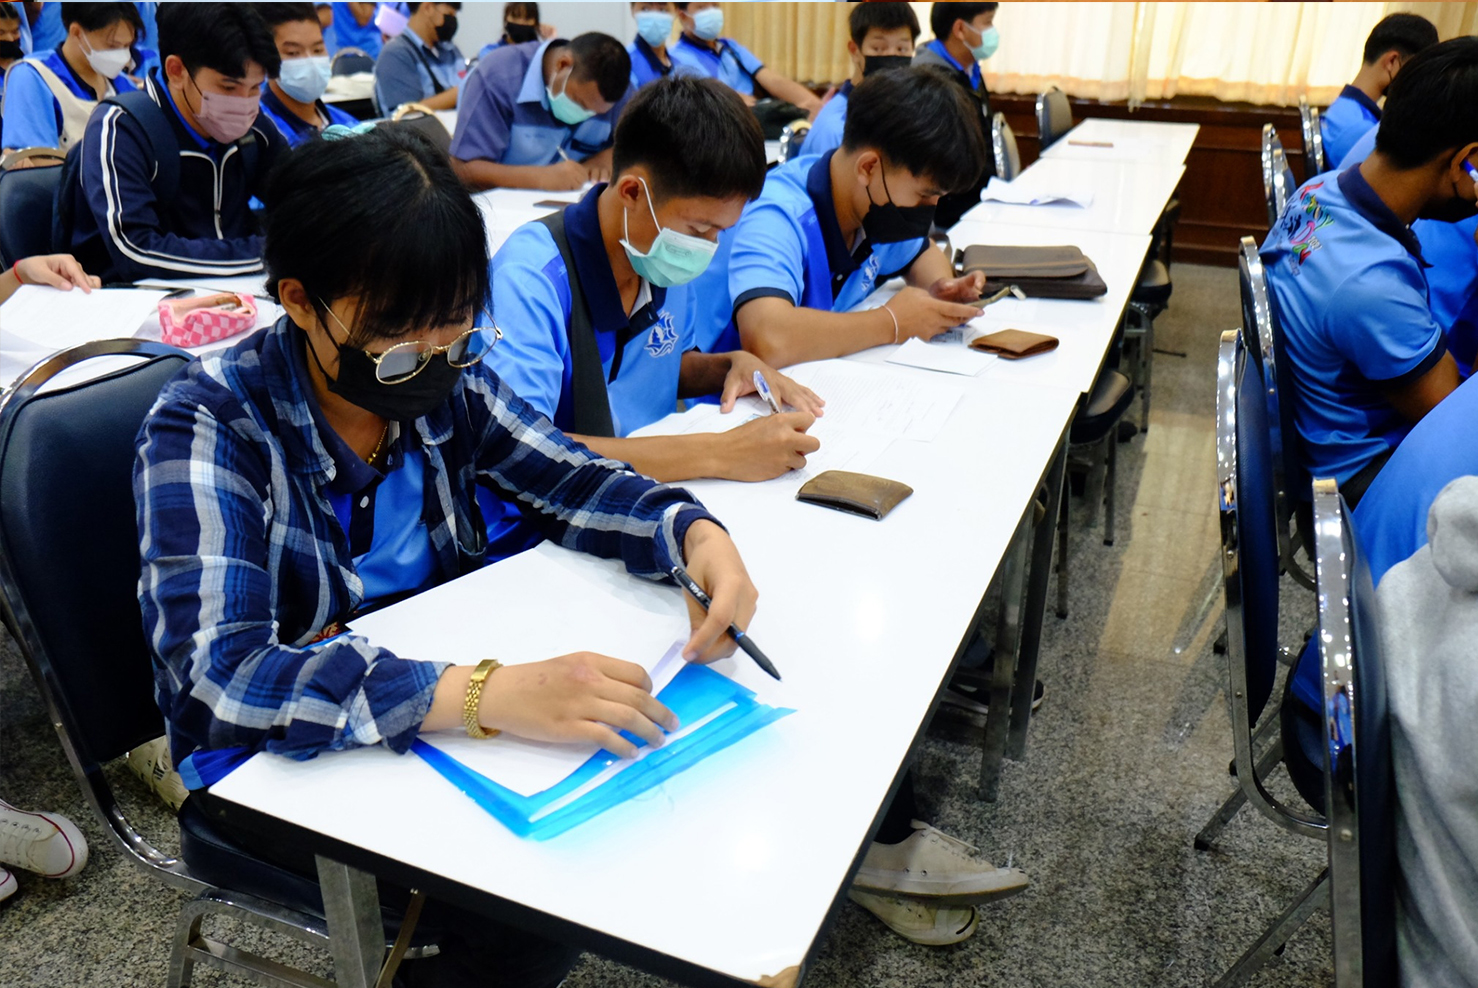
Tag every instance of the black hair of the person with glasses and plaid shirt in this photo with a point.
(415, 254)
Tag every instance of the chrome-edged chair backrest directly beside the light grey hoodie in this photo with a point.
(1359, 780)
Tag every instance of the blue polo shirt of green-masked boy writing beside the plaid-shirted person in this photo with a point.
(531, 301)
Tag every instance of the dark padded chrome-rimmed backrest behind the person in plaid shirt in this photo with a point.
(70, 560)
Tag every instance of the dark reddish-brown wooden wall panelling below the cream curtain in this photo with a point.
(1222, 193)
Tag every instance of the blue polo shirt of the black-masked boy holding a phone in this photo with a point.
(789, 245)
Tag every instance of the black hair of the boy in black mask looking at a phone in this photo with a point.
(923, 121)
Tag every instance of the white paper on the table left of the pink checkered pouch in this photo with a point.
(42, 317)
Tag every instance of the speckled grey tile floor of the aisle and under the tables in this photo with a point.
(1128, 758)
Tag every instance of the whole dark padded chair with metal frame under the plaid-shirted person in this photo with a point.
(69, 594)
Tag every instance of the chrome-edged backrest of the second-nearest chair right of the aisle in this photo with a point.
(1250, 563)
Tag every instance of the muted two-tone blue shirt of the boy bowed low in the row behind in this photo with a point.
(505, 113)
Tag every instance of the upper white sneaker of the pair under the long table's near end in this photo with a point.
(935, 866)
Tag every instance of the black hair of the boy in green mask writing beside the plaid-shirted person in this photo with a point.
(695, 138)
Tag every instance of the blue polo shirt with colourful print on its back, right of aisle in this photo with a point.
(1350, 285)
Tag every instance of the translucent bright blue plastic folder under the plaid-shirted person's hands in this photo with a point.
(694, 694)
